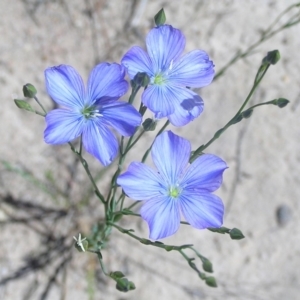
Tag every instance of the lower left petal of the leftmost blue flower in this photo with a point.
(62, 126)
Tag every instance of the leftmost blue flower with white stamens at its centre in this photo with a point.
(90, 112)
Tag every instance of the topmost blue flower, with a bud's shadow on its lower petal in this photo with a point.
(170, 74)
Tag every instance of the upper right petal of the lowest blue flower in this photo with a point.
(205, 173)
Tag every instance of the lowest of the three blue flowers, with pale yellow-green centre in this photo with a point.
(176, 187)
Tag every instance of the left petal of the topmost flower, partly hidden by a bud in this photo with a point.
(137, 60)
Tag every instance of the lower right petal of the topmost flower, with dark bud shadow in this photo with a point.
(188, 110)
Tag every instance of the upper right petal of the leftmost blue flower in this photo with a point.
(106, 80)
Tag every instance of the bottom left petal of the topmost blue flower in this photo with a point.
(160, 100)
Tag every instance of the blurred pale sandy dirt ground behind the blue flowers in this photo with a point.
(261, 187)
